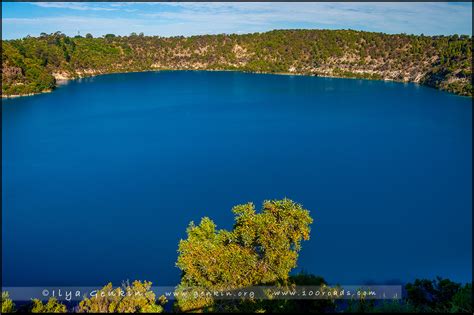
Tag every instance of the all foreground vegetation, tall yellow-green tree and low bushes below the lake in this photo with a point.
(261, 250)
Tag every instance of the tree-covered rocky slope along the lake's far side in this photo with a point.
(33, 64)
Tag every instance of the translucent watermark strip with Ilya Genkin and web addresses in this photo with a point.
(339, 292)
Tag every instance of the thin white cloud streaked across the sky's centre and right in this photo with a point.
(430, 18)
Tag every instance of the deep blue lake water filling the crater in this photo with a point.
(102, 176)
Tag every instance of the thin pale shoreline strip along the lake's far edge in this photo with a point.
(63, 80)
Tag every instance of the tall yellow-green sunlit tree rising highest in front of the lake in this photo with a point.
(261, 249)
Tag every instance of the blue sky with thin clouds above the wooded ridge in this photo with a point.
(173, 18)
